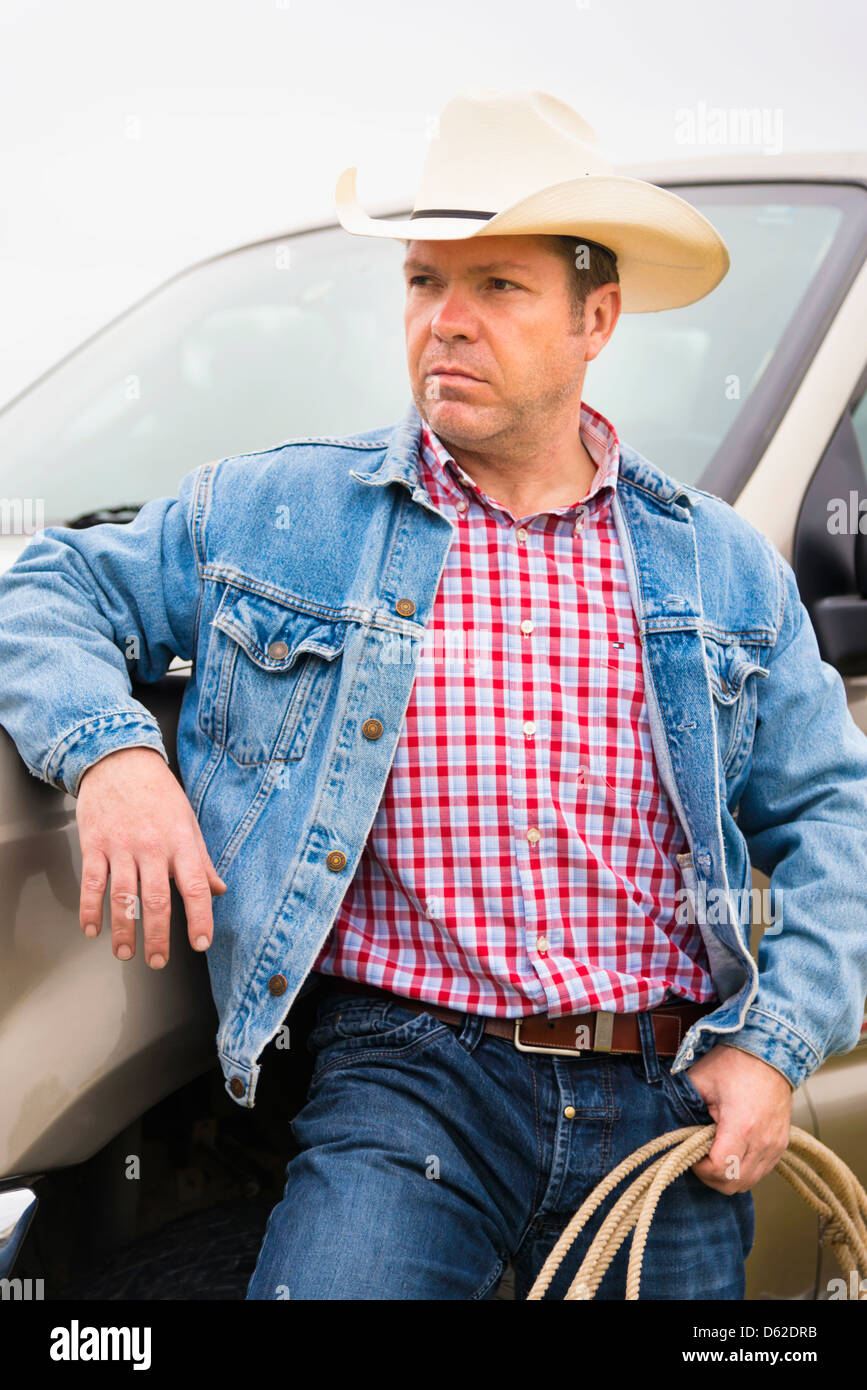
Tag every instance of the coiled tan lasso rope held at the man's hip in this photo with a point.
(811, 1168)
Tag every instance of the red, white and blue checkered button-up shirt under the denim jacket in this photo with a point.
(522, 858)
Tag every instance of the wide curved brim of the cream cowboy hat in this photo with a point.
(668, 254)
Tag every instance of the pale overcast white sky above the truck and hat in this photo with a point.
(137, 140)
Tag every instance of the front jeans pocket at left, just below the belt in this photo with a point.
(349, 1029)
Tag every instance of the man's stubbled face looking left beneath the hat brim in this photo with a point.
(501, 309)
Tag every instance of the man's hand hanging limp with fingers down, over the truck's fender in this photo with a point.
(134, 821)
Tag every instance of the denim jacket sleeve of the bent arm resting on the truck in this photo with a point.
(84, 611)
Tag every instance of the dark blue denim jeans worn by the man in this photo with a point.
(434, 1154)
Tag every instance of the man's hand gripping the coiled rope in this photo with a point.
(751, 1103)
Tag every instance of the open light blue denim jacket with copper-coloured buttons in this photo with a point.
(299, 583)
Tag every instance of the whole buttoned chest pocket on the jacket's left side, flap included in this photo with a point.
(266, 676)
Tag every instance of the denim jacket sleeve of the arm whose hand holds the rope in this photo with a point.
(804, 815)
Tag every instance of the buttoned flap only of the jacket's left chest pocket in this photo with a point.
(274, 636)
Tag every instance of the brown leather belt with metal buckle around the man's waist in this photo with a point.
(572, 1035)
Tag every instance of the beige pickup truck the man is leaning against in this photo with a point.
(126, 1172)
